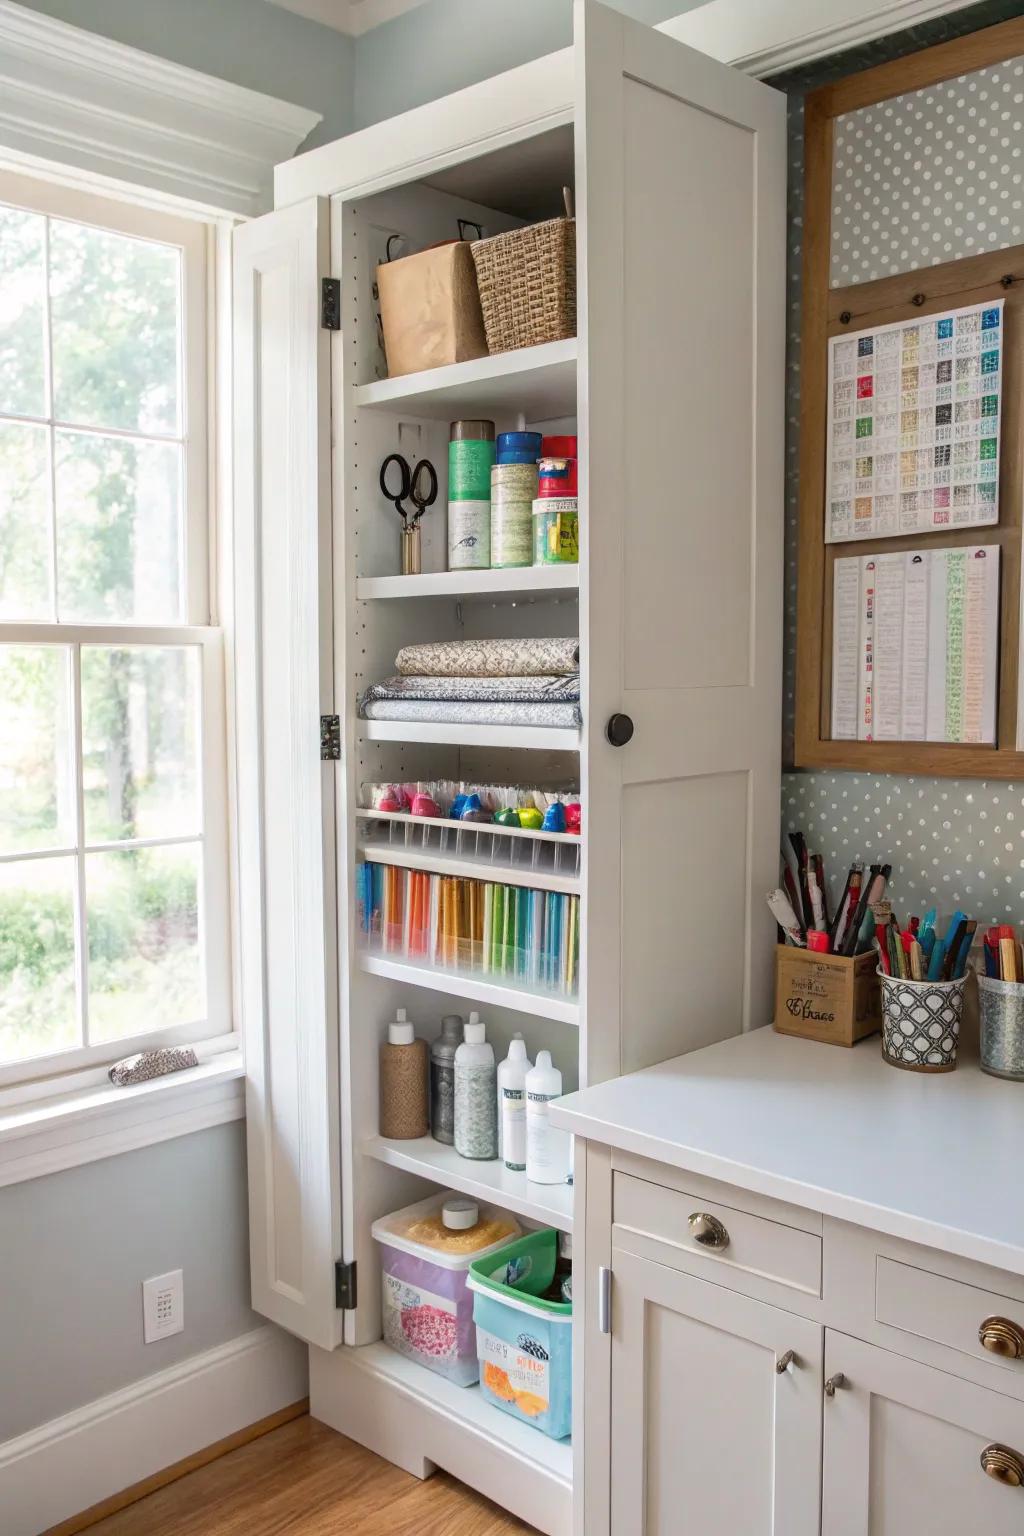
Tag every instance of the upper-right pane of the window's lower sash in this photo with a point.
(140, 720)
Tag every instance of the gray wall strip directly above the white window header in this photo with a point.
(248, 42)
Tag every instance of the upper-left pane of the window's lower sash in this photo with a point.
(36, 756)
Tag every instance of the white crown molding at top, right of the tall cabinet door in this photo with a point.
(767, 38)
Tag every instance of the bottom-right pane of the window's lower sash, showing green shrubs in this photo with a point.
(145, 956)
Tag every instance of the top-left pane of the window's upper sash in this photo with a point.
(22, 313)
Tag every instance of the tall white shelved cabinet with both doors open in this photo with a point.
(675, 389)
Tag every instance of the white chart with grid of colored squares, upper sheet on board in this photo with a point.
(914, 426)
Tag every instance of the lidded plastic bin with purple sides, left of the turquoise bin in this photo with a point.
(426, 1254)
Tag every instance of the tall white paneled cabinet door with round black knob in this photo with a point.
(681, 168)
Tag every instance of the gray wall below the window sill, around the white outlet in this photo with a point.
(76, 1250)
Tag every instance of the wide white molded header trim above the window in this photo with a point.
(78, 101)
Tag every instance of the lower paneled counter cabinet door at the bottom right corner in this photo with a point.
(914, 1449)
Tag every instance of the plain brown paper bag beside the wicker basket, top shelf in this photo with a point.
(431, 310)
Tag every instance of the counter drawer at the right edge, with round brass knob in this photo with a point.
(951, 1313)
